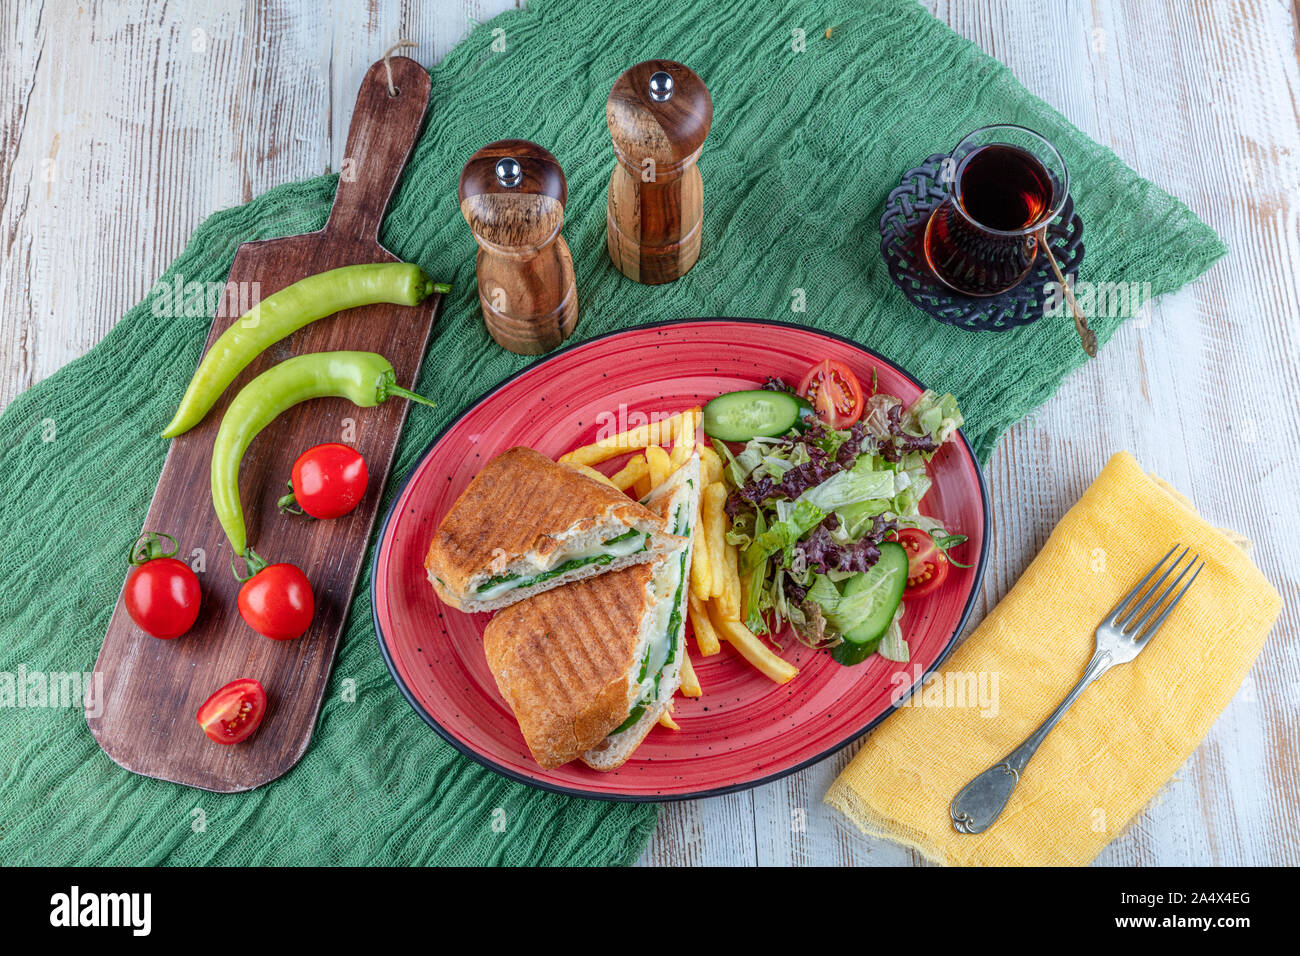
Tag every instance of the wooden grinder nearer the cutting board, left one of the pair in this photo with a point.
(513, 196)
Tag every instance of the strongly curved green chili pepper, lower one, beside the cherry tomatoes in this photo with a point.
(366, 379)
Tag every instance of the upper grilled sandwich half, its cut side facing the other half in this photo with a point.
(527, 525)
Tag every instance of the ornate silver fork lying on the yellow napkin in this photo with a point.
(1120, 639)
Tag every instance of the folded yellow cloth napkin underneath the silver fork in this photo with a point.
(1123, 739)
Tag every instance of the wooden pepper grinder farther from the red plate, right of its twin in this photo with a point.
(660, 114)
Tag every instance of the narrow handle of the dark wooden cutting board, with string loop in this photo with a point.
(379, 145)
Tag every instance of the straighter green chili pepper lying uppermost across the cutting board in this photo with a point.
(289, 310)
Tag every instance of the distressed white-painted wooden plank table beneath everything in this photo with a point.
(123, 126)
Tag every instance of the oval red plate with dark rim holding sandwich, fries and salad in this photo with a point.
(746, 730)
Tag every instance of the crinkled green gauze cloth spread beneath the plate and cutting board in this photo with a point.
(804, 149)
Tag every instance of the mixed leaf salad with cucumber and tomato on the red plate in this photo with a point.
(829, 521)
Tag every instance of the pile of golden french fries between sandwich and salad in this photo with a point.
(716, 600)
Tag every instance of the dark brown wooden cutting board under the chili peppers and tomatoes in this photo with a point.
(151, 690)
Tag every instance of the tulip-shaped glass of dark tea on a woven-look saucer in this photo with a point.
(1006, 184)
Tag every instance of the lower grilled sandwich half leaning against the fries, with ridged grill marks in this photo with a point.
(590, 668)
